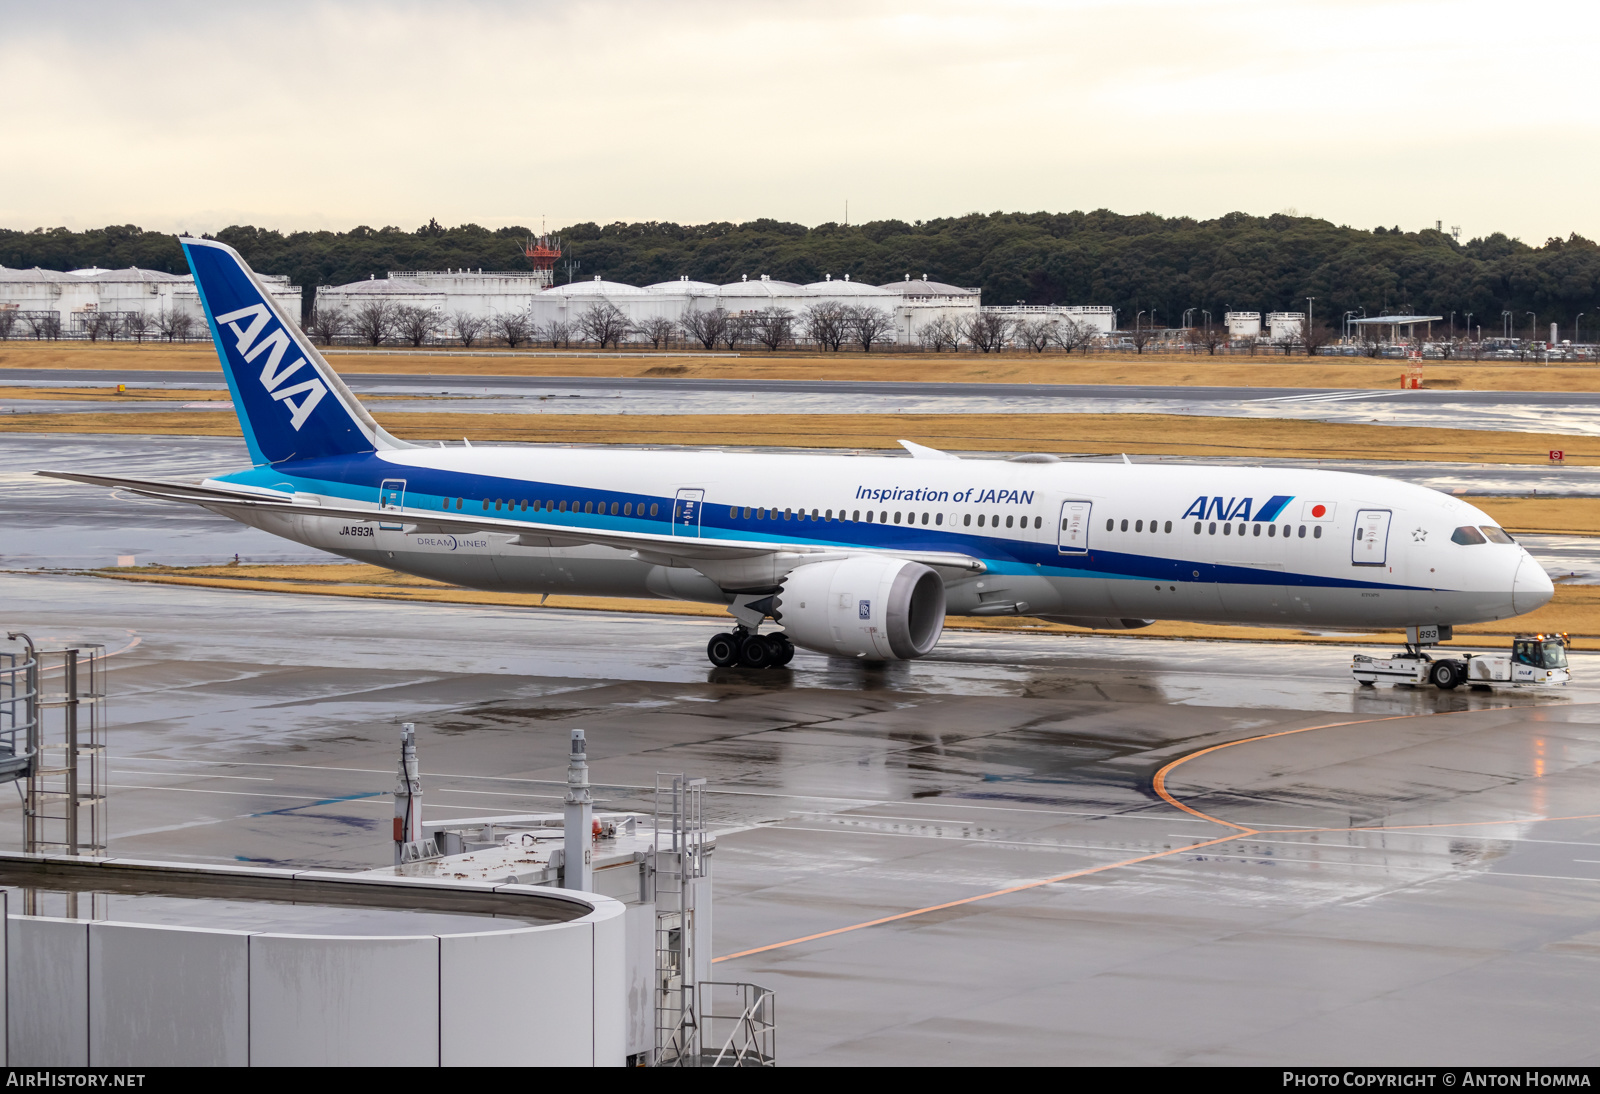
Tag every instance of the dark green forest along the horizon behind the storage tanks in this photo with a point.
(1161, 266)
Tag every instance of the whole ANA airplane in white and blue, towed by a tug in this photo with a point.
(852, 556)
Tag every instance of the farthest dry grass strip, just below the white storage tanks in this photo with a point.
(1012, 369)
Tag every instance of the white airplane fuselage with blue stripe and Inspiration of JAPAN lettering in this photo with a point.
(1188, 543)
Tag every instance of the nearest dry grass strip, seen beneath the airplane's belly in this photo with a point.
(1575, 610)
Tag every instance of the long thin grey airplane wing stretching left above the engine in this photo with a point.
(529, 533)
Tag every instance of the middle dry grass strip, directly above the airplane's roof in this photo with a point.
(1134, 434)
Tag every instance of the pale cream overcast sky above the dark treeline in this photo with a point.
(198, 116)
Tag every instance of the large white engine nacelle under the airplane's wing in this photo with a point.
(876, 609)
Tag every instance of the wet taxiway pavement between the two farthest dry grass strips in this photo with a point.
(1577, 413)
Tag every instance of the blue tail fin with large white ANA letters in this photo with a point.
(290, 402)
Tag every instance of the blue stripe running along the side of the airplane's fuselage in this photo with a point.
(359, 479)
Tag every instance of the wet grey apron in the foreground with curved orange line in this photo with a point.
(1404, 871)
